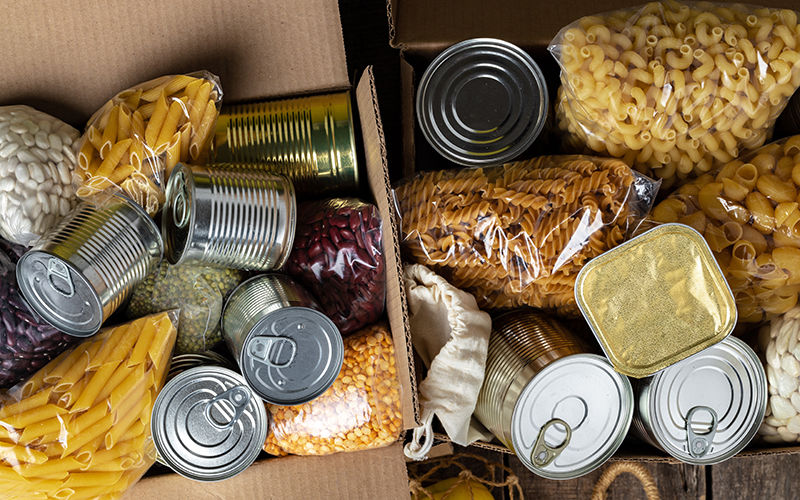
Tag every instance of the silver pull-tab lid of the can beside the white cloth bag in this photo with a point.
(571, 417)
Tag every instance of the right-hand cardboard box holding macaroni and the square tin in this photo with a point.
(420, 30)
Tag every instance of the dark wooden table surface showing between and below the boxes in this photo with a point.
(366, 39)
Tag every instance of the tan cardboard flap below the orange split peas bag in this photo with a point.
(364, 475)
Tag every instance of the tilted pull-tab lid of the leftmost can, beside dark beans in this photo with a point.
(59, 293)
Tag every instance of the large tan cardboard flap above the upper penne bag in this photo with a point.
(64, 58)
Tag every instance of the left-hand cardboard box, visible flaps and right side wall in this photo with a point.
(68, 58)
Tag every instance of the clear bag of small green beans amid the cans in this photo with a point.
(199, 291)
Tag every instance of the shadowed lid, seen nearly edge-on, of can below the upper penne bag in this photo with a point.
(178, 214)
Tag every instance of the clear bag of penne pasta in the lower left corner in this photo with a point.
(80, 426)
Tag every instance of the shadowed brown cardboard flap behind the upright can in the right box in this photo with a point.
(432, 26)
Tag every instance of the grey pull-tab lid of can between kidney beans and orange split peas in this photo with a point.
(292, 355)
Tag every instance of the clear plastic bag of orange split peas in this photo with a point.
(360, 411)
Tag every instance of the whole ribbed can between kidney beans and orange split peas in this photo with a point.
(289, 352)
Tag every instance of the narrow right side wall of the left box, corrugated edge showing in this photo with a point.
(396, 304)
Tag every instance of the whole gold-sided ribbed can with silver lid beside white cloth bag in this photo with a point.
(561, 410)
